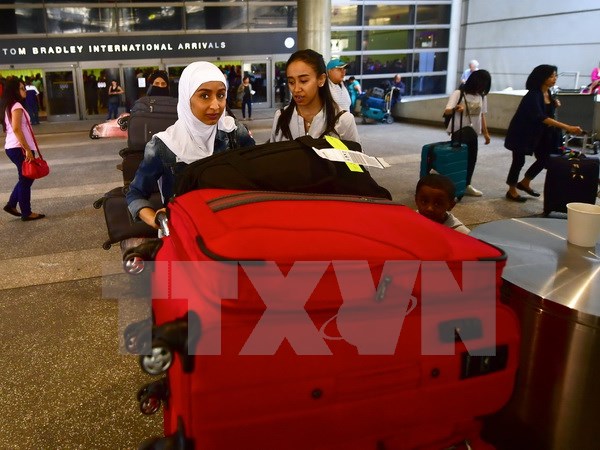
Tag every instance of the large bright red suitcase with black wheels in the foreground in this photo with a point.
(295, 321)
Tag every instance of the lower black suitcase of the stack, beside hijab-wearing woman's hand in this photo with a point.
(119, 224)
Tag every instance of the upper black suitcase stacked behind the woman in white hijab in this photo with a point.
(150, 115)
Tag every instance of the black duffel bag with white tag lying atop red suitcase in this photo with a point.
(287, 166)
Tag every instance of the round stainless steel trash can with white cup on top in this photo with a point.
(554, 287)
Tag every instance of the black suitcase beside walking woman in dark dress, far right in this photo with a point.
(570, 179)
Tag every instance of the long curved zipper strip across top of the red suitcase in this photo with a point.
(246, 198)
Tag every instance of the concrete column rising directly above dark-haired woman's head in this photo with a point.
(314, 26)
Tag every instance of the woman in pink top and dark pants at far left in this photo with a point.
(19, 145)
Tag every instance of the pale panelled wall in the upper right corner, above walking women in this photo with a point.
(510, 37)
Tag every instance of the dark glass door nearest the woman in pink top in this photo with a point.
(61, 97)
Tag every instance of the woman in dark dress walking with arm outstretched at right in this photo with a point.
(532, 131)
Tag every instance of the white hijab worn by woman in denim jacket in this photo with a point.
(189, 138)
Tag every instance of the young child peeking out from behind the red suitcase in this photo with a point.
(435, 198)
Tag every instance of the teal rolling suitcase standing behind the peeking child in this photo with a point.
(447, 158)
